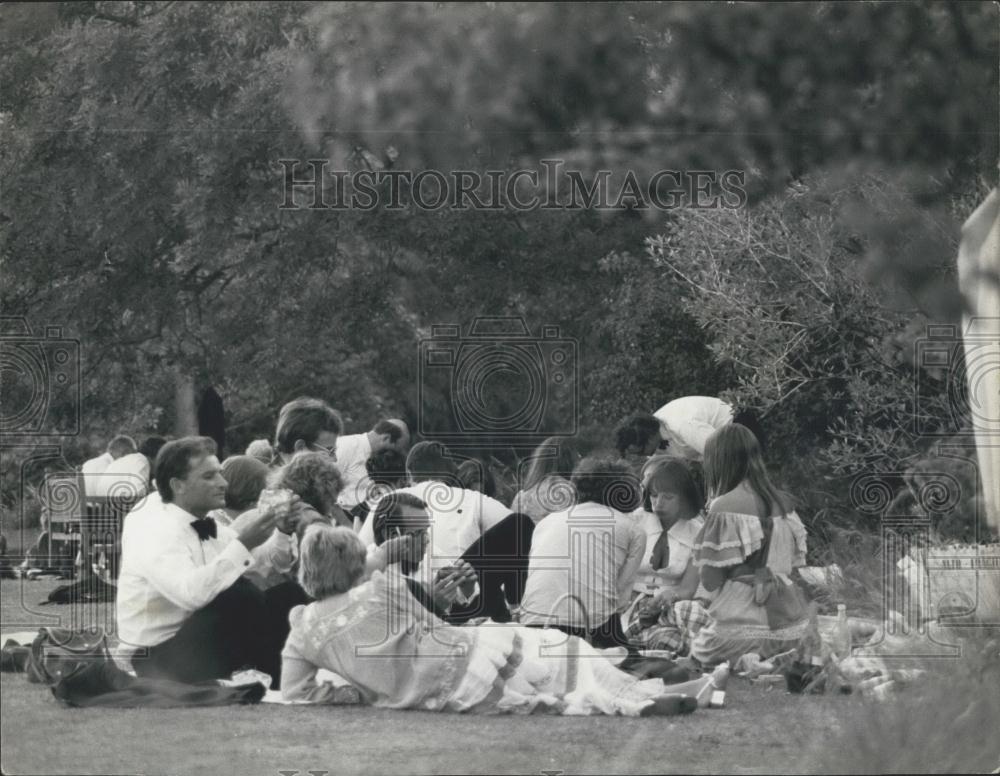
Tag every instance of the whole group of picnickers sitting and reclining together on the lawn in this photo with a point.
(373, 560)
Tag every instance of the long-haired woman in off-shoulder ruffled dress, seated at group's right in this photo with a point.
(751, 542)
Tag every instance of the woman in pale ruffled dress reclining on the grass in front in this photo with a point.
(398, 654)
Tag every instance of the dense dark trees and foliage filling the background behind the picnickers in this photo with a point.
(142, 188)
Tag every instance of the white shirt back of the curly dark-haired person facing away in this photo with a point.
(582, 567)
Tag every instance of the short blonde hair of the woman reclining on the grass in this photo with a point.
(331, 560)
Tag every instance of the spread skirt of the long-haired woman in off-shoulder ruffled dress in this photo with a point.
(739, 625)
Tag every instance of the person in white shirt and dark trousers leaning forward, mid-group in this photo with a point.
(467, 525)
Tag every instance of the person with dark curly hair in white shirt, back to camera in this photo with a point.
(584, 559)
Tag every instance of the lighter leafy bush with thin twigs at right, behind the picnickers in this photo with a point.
(825, 356)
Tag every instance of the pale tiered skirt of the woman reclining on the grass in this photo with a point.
(514, 669)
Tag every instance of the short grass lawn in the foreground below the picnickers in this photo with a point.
(759, 731)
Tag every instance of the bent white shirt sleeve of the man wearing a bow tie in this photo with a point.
(172, 572)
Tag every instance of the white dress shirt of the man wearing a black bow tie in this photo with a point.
(167, 573)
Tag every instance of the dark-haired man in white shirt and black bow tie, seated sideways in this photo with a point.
(182, 598)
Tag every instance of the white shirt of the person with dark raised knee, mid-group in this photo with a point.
(458, 518)
